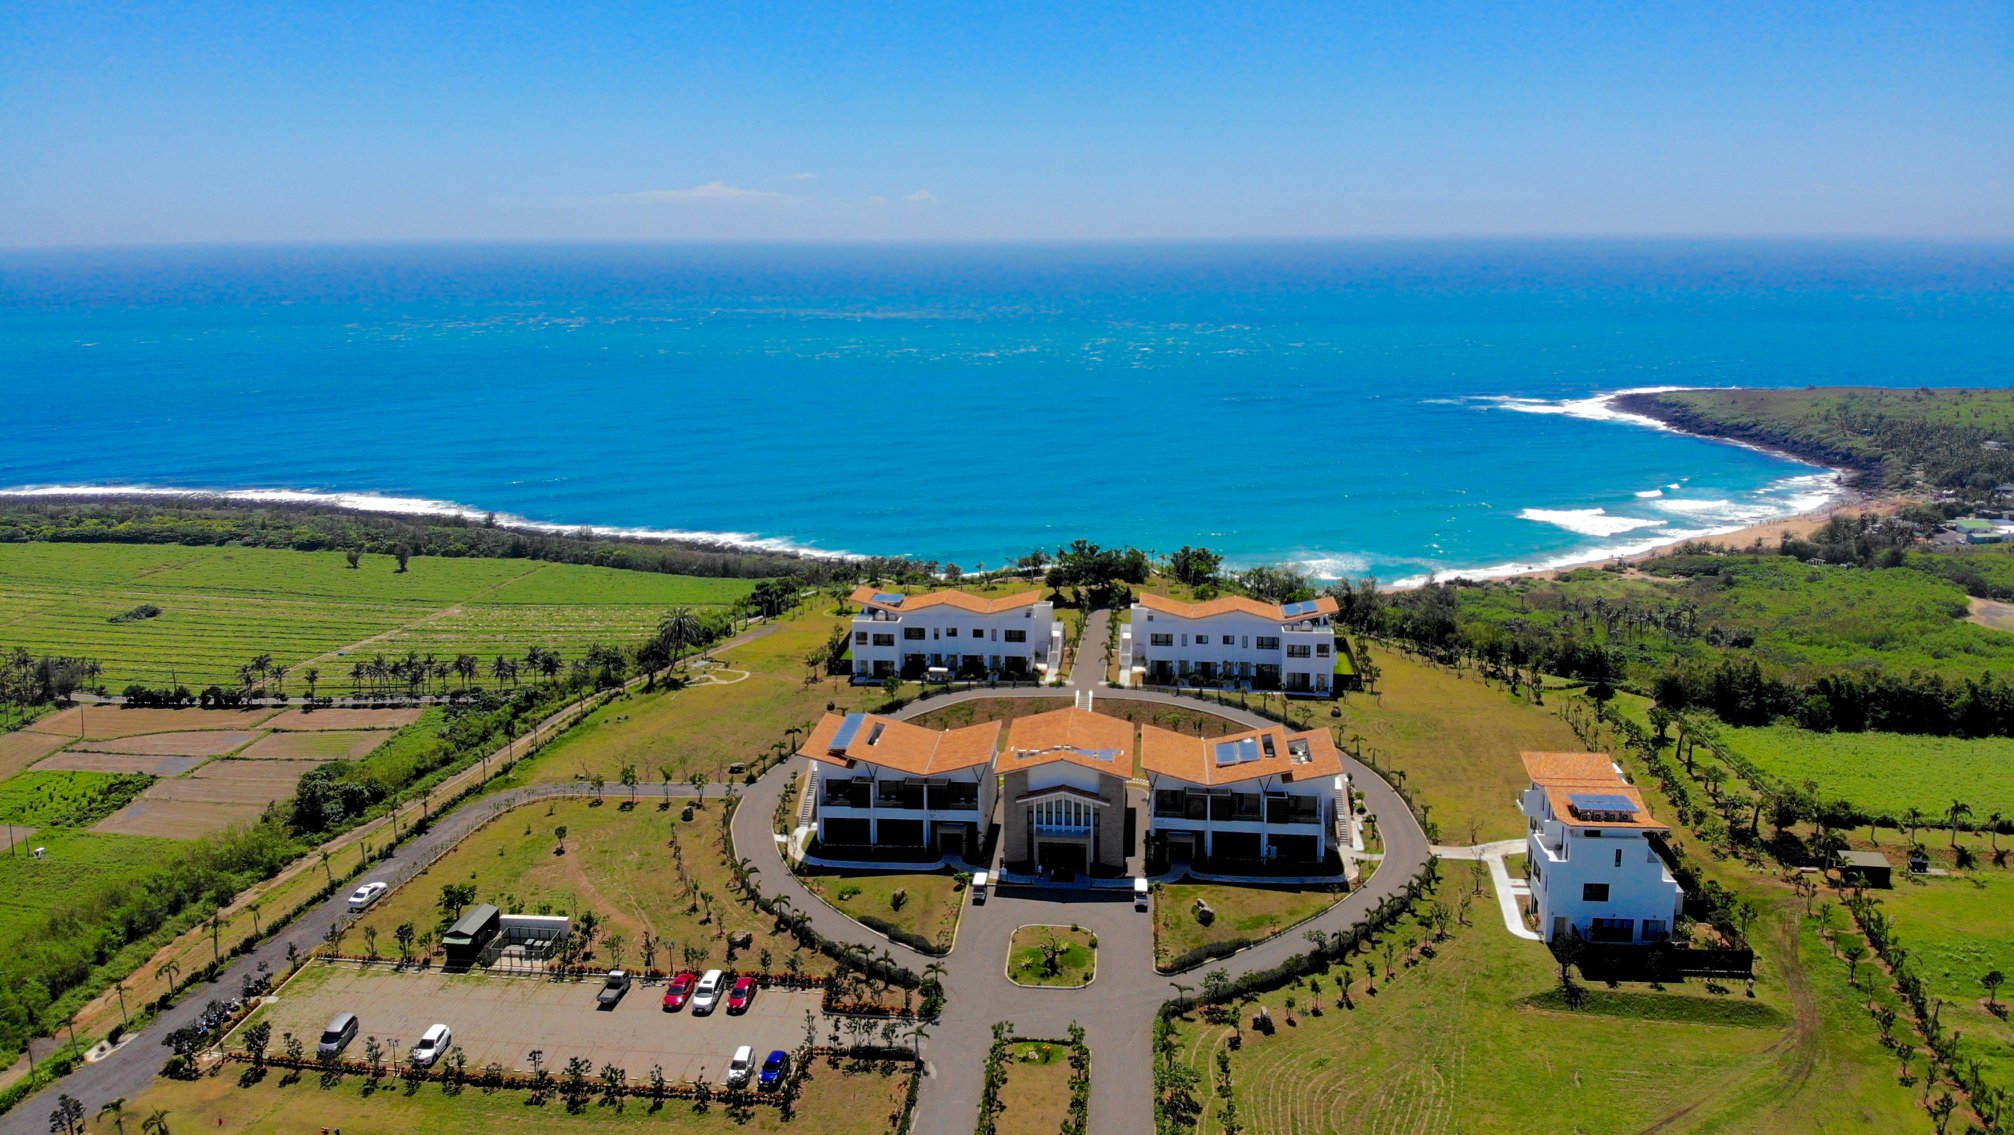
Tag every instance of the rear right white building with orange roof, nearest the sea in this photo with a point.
(1232, 643)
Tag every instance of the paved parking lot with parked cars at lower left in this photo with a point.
(505, 1019)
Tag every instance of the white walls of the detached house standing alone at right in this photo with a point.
(1564, 858)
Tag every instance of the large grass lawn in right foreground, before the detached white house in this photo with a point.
(1453, 1043)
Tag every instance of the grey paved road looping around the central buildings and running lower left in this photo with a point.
(1117, 1009)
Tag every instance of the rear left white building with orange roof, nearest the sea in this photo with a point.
(954, 635)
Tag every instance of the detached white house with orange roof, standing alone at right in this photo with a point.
(1596, 858)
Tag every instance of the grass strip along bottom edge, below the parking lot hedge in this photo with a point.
(835, 1102)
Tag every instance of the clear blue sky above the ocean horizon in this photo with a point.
(972, 122)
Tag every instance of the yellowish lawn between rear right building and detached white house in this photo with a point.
(1459, 744)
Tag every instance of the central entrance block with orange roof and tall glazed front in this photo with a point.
(1064, 786)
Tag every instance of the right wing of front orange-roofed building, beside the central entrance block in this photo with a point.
(1250, 798)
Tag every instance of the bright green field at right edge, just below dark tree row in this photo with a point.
(1886, 772)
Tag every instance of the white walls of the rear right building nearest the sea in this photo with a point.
(1201, 641)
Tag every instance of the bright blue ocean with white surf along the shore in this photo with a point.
(1369, 408)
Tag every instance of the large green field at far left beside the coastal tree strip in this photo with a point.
(223, 607)
